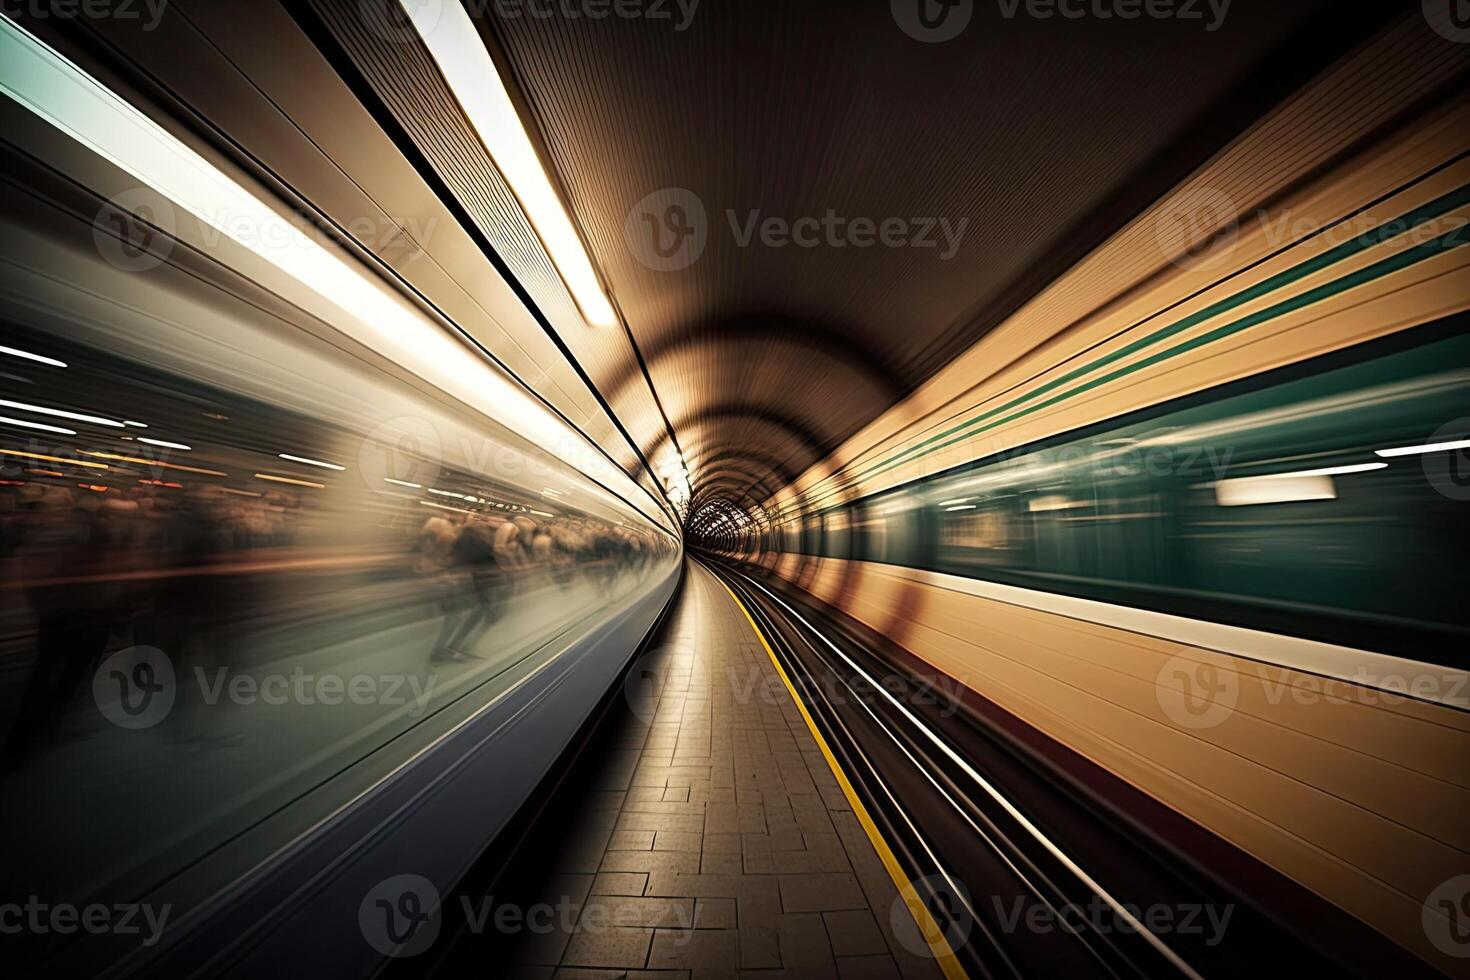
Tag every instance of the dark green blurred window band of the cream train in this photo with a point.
(1293, 508)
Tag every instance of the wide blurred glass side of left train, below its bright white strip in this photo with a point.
(255, 572)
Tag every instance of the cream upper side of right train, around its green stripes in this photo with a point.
(1022, 355)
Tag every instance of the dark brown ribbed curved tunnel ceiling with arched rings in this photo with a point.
(868, 205)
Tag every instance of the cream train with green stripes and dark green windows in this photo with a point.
(1206, 528)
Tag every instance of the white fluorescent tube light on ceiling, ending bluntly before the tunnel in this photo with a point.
(458, 49)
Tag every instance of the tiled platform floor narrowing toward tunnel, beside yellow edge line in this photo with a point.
(718, 843)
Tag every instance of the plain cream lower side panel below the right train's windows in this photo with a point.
(1356, 794)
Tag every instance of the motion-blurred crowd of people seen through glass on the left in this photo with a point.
(196, 572)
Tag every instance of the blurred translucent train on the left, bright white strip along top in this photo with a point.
(265, 590)
